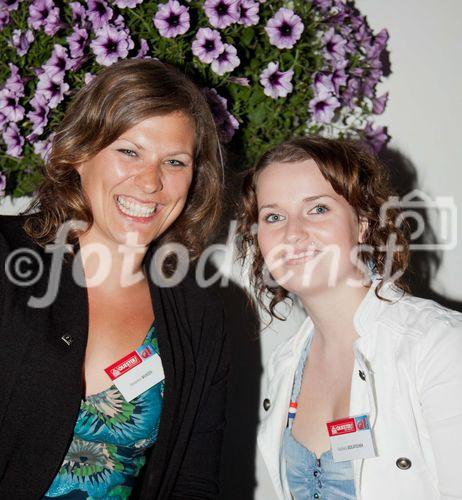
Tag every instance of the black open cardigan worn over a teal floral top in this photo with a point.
(41, 380)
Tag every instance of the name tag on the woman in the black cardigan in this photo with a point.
(136, 372)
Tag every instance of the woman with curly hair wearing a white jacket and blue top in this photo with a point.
(380, 366)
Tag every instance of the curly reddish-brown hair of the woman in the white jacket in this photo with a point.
(355, 174)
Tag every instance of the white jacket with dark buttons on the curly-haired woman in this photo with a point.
(410, 352)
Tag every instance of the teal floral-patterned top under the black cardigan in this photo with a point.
(111, 437)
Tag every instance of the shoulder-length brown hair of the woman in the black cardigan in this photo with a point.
(118, 98)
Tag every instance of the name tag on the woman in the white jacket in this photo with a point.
(351, 438)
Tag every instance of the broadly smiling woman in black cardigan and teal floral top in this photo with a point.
(117, 388)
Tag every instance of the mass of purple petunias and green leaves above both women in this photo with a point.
(270, 70)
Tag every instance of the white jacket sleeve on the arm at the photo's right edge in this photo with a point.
(440, 387)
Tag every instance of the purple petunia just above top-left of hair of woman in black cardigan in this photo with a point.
(110, 45)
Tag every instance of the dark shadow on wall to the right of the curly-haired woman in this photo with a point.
(424, 264)
